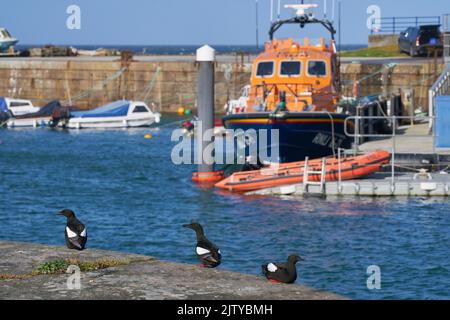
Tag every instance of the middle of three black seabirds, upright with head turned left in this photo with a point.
(207, 252)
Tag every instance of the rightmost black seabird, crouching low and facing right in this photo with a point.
(282, 272)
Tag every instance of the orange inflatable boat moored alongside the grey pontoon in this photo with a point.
(292, 173)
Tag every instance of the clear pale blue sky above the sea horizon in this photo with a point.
(185, 22)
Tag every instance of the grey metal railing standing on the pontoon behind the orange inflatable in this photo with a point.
(393, 135)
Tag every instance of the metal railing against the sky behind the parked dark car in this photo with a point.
(395, 25)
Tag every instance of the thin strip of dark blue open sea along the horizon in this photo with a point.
(177, 49)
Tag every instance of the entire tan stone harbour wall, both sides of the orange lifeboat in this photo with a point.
(174, 85)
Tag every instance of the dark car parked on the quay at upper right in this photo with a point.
(418, 40)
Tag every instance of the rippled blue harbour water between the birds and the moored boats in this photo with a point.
(133, 199)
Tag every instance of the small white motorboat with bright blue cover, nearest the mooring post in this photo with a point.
(119, 114)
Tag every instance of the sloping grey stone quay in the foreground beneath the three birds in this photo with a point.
(113, 275)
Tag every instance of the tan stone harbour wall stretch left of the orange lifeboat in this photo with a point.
(174, 83)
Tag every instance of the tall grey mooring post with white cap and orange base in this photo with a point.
(205, 100)
